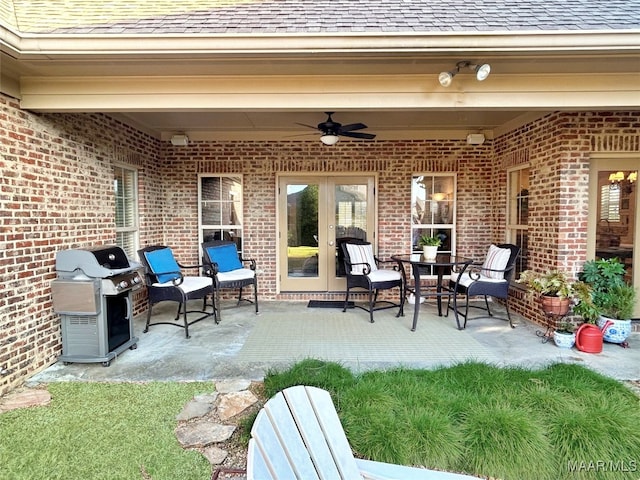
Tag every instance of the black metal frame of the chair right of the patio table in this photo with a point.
(486, 289)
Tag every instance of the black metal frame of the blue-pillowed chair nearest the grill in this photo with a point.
(173, 293)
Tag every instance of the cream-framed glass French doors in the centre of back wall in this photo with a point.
(316, 215)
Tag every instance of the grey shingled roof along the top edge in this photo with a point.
(86, 17)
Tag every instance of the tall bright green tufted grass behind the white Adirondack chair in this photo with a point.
(561, 422)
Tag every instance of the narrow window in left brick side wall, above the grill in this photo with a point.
(125, 185)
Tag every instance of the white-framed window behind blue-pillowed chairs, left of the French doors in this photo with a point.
(220, 208)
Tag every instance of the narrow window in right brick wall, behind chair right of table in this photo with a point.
(518, 213)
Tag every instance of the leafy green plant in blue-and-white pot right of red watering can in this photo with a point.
(613, 298)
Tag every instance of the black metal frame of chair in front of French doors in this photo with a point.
(364, 282)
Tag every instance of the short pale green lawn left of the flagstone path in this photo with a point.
(101, 431)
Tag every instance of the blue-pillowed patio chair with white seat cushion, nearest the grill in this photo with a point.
(166, 282)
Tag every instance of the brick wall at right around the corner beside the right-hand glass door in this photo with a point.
(558, 148)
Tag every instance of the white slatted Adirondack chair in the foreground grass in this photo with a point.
(298, 435)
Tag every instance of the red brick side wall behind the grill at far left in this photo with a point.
(56, 192)
